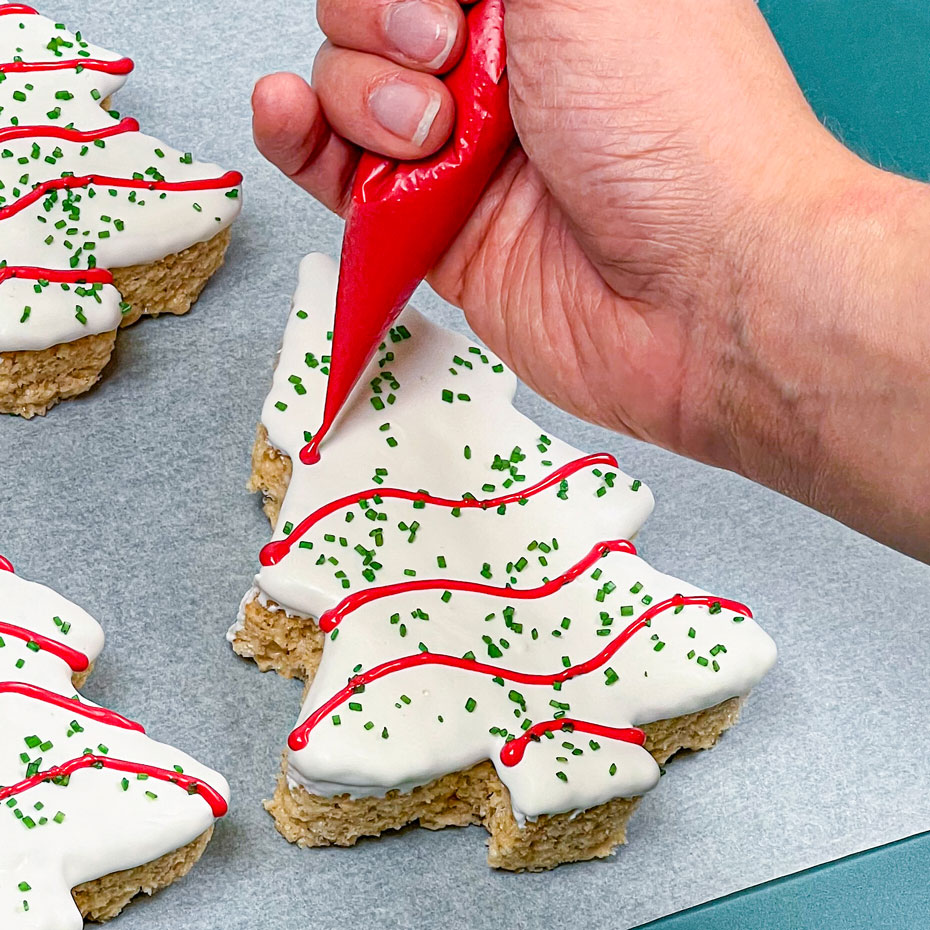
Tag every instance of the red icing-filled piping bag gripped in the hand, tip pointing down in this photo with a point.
(404, 216)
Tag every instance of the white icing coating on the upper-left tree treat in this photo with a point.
(98, 225)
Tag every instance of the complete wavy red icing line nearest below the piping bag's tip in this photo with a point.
(274, 552)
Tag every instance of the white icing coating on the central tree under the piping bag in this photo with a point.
(417, 724)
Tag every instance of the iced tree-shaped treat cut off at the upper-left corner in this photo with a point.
(99, 223)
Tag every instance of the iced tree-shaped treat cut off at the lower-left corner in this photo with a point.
(94, 811)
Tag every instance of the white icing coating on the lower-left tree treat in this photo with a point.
(97, 823)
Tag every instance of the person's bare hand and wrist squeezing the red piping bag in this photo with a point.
(677, 249)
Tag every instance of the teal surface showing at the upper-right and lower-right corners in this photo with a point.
(865, 67)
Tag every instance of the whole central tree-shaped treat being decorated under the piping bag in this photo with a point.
(481, 641)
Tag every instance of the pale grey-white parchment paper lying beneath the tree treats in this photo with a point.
(131, 500)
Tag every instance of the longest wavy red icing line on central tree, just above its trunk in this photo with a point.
(300, 736)
